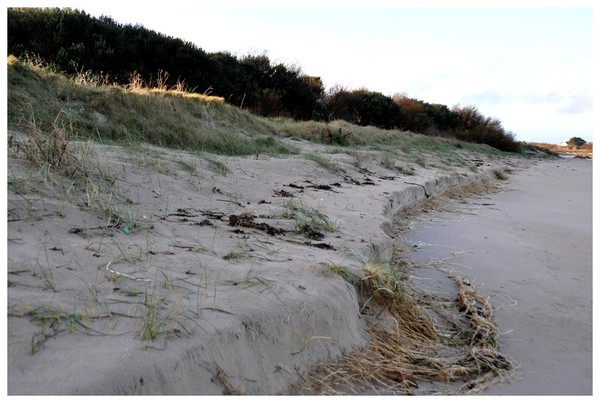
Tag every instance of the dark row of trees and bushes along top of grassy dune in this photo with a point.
(72, 41)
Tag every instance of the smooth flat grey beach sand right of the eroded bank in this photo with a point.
(529, 248)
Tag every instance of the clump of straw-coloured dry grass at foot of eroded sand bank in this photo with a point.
(418, 338)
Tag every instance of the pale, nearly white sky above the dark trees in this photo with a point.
(527, 63)
